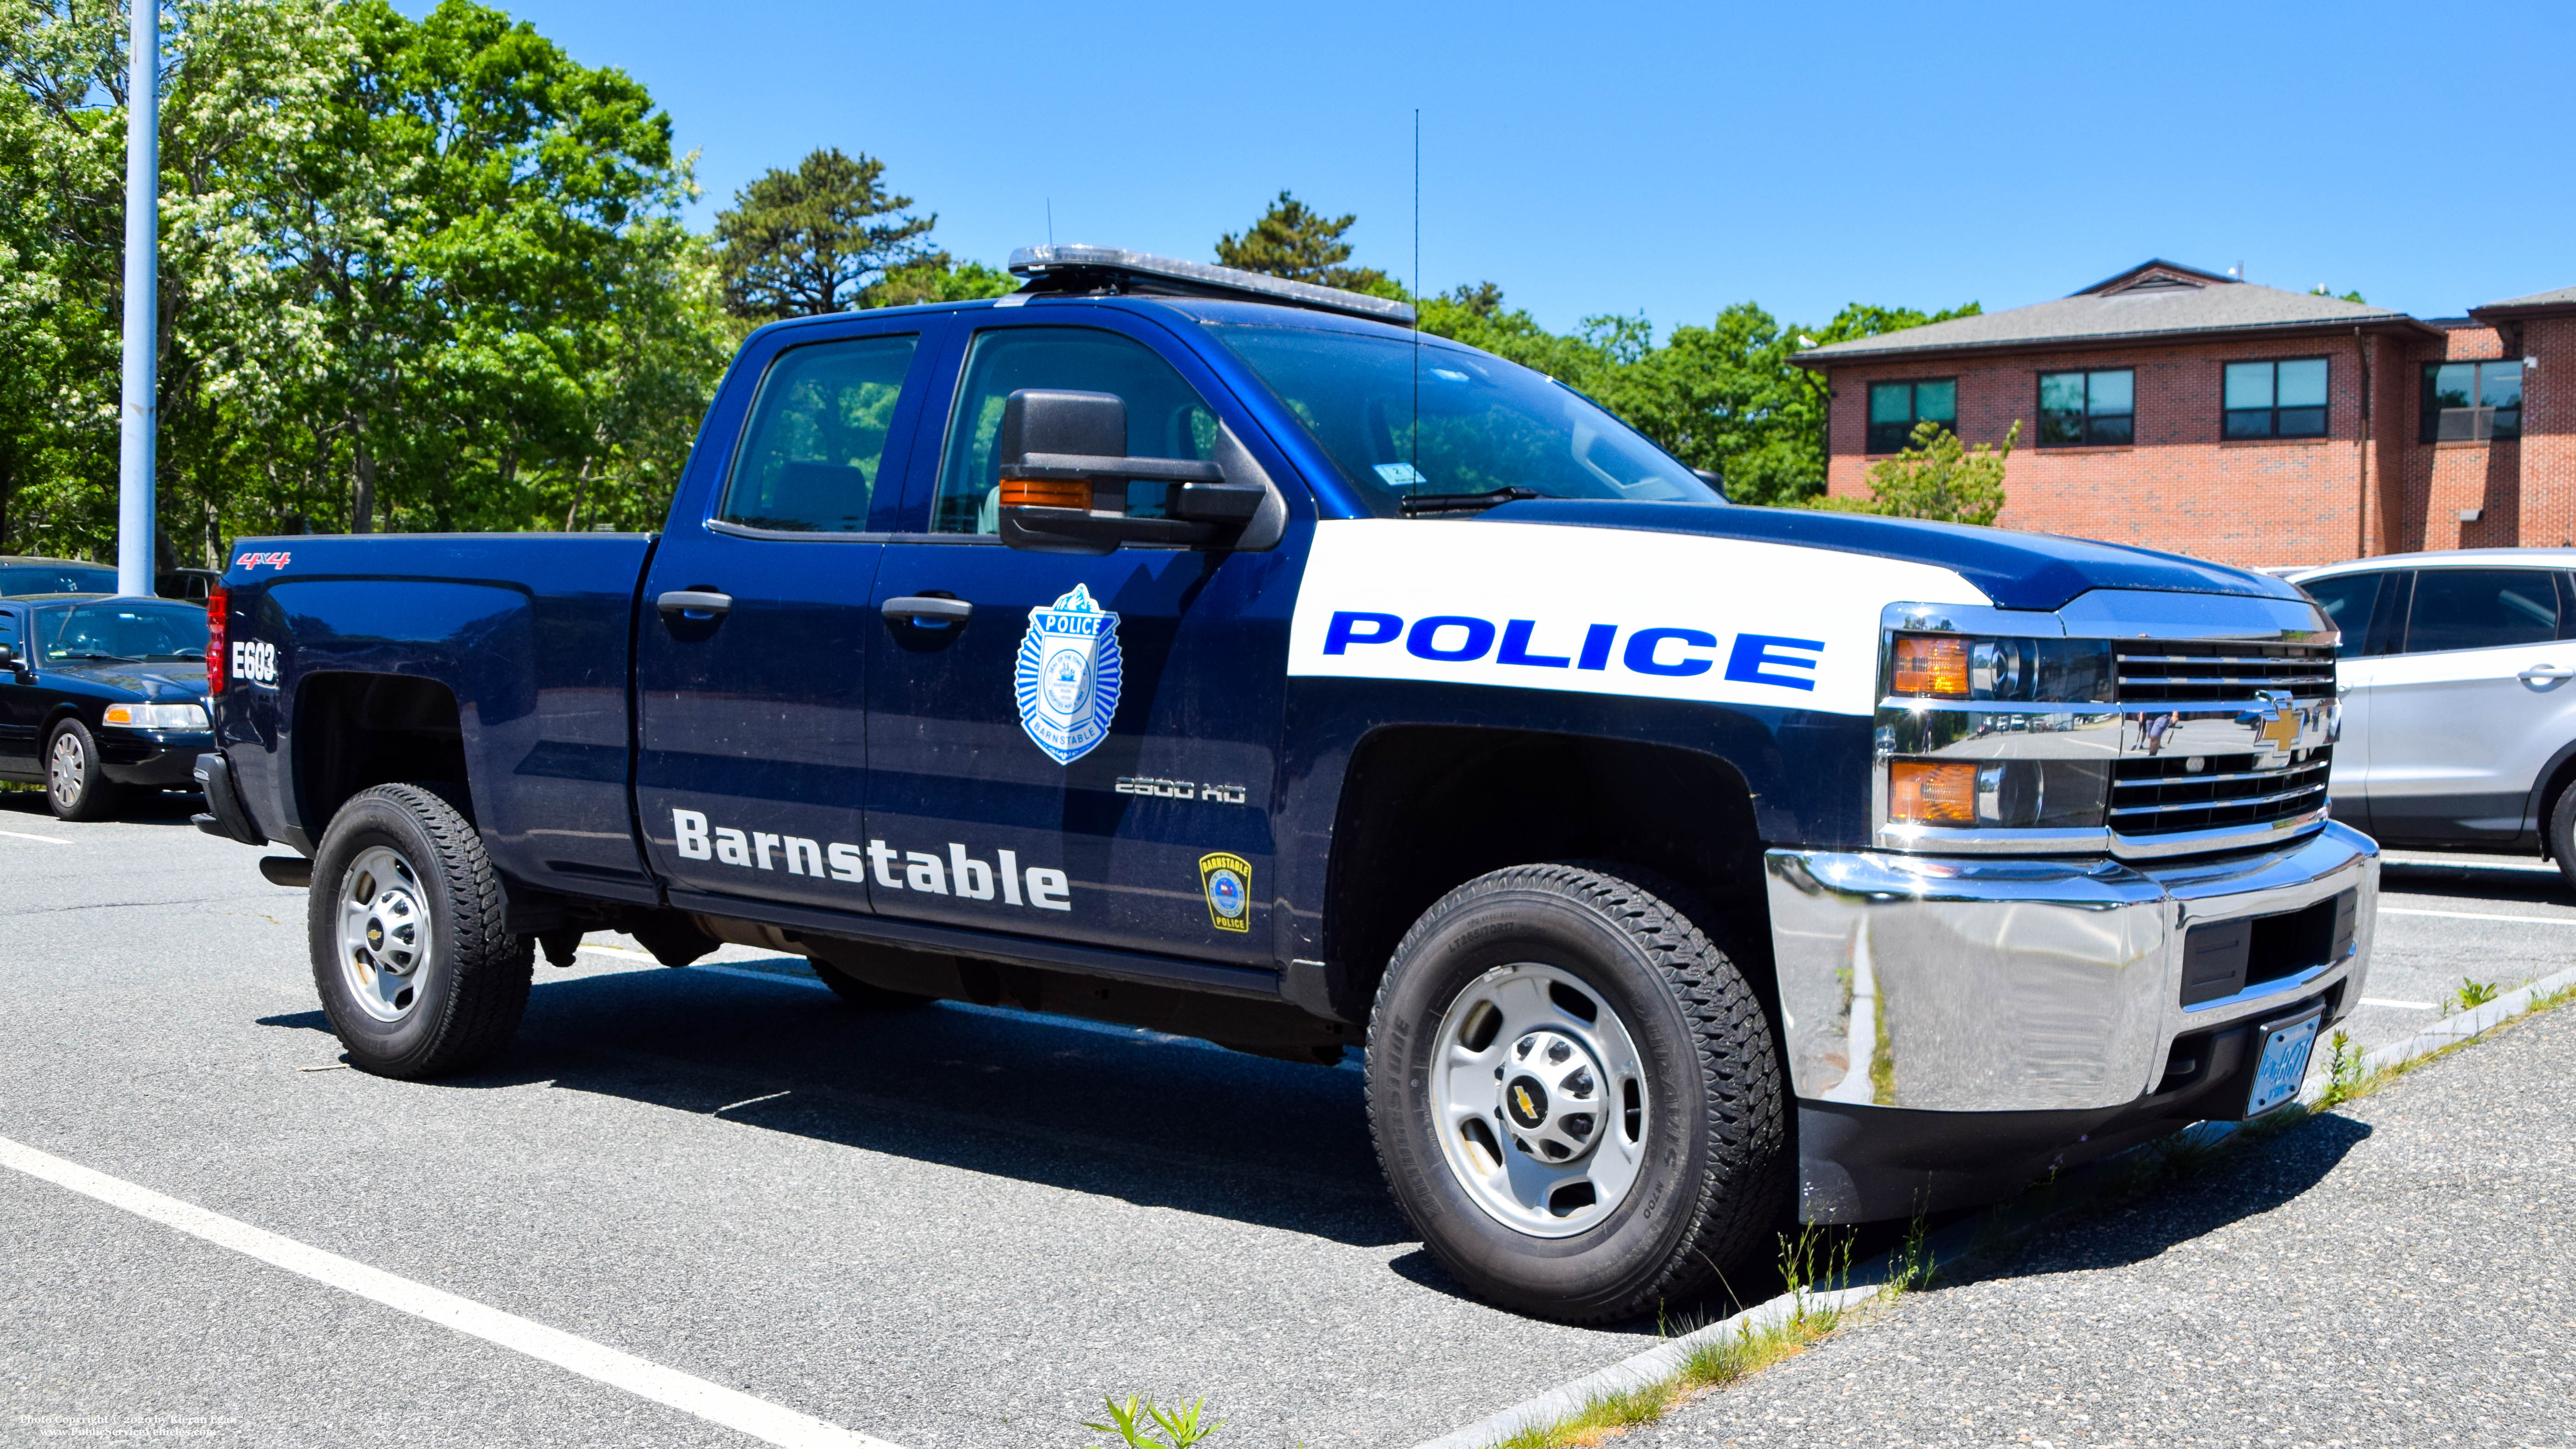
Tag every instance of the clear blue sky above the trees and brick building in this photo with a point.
(1676, 158)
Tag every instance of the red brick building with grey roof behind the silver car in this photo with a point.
(2204, 416)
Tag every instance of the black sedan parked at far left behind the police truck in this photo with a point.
(102, 696)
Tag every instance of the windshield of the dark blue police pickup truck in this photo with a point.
(1482, 423)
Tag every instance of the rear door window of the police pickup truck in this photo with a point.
(820, 436)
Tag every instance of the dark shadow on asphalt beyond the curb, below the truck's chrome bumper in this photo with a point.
(2237, 1185)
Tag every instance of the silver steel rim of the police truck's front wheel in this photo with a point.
(1539, 1100)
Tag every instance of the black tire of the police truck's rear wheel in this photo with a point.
(473, 982)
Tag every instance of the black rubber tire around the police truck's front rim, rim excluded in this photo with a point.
(1717, 1175)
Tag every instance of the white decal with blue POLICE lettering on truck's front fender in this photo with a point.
(1604, 611)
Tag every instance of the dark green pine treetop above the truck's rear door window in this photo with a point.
(810, 241)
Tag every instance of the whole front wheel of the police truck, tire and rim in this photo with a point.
(1575, 1095)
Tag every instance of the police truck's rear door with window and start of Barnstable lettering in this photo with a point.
(751, 686)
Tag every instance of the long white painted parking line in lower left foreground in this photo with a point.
(671, 1389)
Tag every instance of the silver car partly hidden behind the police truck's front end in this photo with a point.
(2459, 712)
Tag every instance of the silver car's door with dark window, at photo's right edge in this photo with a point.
(2469, 709)
